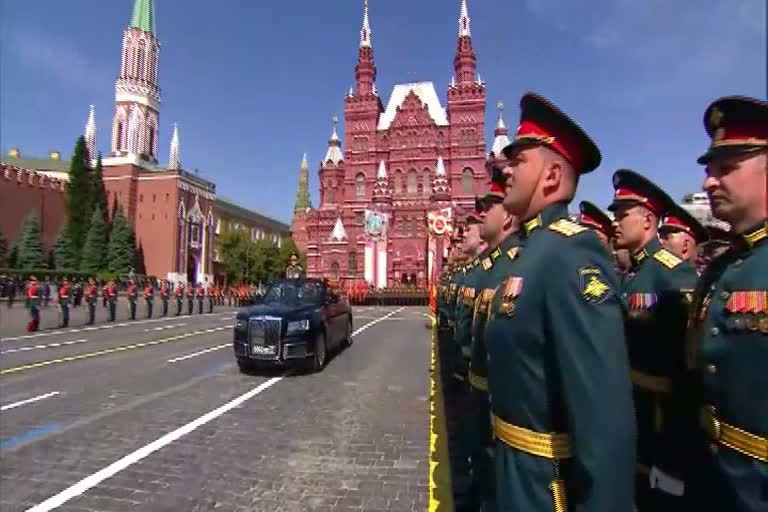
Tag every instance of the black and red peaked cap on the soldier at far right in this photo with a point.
(736, 124)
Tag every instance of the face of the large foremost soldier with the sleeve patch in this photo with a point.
(522, 174)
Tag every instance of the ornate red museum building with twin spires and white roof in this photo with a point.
(397, 164)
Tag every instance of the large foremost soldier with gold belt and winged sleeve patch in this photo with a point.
(558, 377)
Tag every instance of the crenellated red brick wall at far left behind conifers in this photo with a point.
(18, 198)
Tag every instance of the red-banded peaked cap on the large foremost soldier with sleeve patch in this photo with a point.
(542, 123)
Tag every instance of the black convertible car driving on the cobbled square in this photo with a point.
(297, 321)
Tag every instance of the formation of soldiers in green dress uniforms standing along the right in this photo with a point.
(615, 363)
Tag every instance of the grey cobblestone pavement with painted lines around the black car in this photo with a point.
(174, 426)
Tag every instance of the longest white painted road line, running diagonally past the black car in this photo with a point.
(95, 479)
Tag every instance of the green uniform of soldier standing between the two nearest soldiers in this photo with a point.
(656, 293)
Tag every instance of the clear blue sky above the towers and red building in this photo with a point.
(253, 84)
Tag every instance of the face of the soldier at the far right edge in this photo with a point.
(736, 186)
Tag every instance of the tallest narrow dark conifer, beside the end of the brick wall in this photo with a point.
(79, 198)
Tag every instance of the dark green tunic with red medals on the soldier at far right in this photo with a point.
(728, 357)
